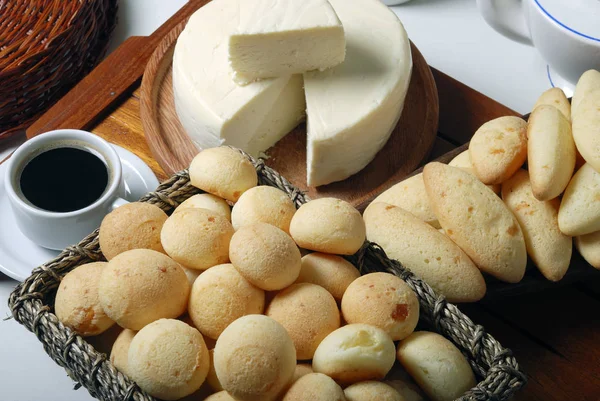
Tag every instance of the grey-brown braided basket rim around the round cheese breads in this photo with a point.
(32, 301)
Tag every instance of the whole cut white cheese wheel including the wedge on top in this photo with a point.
(246, 72)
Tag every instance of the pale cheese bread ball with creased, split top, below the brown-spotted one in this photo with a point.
(354, 353)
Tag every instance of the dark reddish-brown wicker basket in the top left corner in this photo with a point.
(46, 47)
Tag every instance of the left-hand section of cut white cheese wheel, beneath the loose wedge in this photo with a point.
(212, 108)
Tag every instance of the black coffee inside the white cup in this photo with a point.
(64, 179)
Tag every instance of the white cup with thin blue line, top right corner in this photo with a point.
(565, 32)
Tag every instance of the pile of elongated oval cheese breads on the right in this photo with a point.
(484, 212)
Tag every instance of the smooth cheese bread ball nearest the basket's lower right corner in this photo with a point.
(438, 367)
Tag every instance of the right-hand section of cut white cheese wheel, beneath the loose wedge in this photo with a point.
(353, 108)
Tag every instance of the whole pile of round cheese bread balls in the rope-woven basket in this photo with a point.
(254, 302)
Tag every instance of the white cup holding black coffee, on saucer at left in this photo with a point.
(56, 230)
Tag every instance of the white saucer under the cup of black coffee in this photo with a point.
(18, 255)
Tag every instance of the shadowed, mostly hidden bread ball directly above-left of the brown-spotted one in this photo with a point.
(331, 272)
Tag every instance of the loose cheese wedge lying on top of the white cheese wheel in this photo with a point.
(276, 38)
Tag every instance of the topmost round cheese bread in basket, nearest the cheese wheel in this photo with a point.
(224, 172)
